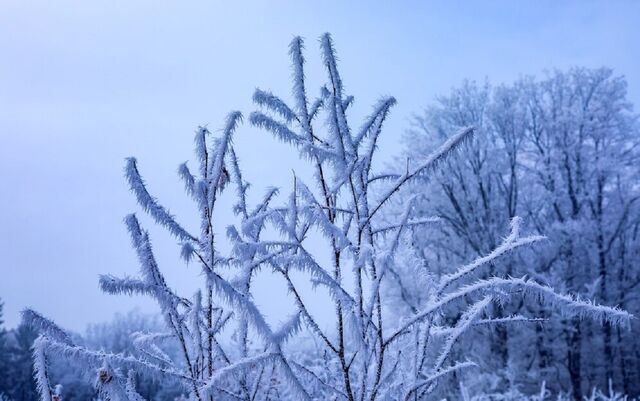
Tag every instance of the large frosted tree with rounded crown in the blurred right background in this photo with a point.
(562, 151)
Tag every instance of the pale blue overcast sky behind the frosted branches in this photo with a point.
(84, 84)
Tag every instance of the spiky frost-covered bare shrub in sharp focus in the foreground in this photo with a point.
(369, 354)
